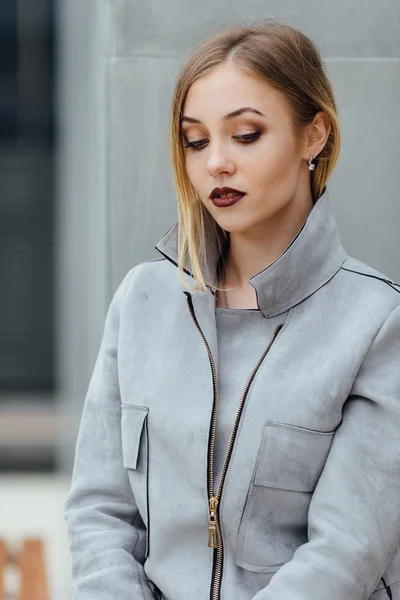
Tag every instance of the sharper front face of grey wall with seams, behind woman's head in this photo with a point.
(360, 44)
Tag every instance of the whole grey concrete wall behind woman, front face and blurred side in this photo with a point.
(117, 197)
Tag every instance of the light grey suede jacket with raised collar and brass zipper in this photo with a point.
(308, 506)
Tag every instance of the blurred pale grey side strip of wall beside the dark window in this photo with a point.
(83, 270)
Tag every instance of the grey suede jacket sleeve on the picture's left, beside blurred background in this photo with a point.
(100, 508)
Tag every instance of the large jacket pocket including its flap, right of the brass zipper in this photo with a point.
(275, 518)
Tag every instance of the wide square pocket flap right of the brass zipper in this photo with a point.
(291, 457)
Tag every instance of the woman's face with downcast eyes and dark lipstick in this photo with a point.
(256, 152)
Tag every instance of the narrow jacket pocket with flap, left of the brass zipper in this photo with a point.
(135, 457)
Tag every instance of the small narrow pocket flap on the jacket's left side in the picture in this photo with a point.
(133, 419)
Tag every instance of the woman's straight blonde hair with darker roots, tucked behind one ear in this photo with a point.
(289, 61)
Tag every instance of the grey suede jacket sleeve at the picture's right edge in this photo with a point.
(354, 514)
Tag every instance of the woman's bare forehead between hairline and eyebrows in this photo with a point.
(228, 87)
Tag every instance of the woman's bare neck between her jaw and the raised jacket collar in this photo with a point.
(253, 250)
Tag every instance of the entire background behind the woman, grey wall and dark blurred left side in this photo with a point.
(86, 192)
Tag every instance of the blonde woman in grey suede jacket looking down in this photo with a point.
(240, 435)
